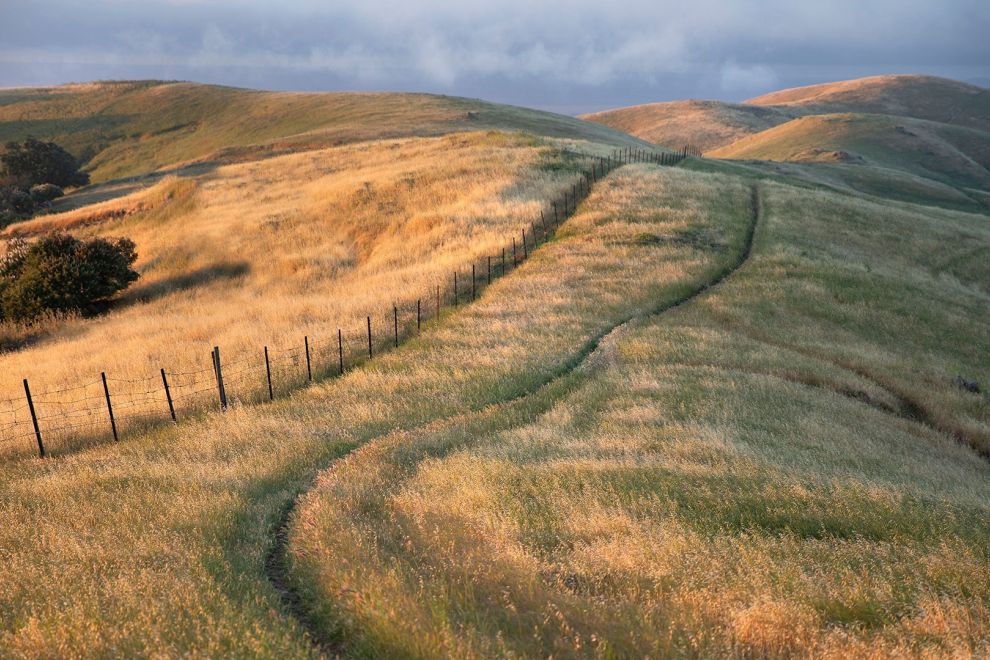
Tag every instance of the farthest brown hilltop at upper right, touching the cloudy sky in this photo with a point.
(921, 97)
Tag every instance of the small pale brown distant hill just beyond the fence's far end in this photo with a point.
(705, 124)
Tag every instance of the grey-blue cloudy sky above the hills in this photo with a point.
(569, 56)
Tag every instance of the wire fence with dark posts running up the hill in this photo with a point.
(106, 407)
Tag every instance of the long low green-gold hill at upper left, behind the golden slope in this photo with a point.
(127, 128)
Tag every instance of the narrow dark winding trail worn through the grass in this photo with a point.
(276, 566)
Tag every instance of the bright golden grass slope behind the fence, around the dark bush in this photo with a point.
(267, 252)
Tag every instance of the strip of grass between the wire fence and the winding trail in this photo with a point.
(157, 545)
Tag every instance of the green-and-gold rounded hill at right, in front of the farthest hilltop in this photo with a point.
(948, 154)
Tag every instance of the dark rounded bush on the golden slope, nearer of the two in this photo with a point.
(61, 273)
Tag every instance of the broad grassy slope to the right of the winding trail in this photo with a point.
(780, 467)
